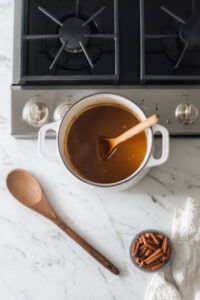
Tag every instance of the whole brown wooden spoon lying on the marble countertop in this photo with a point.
(27, 190)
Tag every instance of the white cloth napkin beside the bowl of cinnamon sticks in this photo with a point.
(181, 281)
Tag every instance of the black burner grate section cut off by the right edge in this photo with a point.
(175, 48)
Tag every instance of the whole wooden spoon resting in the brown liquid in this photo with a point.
(107, 146)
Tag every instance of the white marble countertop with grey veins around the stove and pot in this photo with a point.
(37, 260)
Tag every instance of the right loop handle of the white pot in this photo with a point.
(165, 147)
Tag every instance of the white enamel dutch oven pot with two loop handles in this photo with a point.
(61, 127)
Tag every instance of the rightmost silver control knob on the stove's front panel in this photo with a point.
(186, 113)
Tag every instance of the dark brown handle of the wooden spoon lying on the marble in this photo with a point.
(87, 247)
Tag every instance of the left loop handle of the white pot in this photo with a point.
(42, 138)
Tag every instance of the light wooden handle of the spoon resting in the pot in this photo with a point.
(137, 129)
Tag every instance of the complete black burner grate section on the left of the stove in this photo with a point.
(73, 45)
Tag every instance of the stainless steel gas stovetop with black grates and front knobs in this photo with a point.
(148, 51)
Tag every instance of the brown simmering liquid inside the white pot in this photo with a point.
(81, 144)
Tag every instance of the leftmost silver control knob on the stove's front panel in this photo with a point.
(36, 113)
